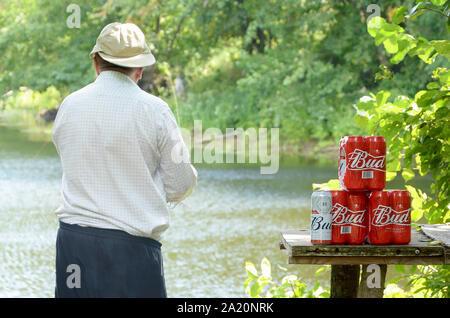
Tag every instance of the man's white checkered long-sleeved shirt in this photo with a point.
(115, 142)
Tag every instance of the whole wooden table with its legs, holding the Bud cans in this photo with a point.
(429, 245)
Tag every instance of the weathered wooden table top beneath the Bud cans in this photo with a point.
(429, 245)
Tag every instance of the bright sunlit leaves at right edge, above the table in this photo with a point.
(416, 128)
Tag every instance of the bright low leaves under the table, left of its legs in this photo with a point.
(257, 286)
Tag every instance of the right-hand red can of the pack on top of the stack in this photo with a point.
(376, 174)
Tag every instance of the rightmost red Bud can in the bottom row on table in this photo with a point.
(400, 216)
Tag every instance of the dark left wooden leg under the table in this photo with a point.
(344, 281)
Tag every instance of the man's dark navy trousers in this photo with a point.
(92, 262)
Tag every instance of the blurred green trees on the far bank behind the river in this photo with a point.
(296, 65)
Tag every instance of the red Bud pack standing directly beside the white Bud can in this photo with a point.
(349, 224)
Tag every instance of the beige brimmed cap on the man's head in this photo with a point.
(123, 44)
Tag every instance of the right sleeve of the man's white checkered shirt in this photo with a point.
(179, 177)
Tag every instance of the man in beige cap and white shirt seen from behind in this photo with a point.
(120, 150)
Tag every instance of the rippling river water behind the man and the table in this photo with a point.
(234, 215)
